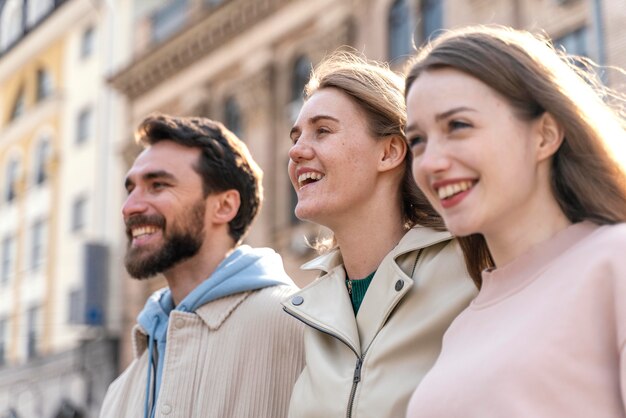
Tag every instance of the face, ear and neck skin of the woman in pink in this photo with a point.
(483, 168)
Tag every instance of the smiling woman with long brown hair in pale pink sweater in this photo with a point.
(520, 153)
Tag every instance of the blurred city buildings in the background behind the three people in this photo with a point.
(243, 62)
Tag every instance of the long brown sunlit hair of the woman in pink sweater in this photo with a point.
(586, 178)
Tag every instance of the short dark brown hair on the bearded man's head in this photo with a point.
(224, 163)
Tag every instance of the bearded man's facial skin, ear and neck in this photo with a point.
(162, 182)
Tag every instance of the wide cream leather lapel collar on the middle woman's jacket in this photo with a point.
(331, 310)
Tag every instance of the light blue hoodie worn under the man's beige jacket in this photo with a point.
(244, 269)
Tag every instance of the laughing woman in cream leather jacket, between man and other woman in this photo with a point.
(394, 278)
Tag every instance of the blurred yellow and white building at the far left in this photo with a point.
(59, 177)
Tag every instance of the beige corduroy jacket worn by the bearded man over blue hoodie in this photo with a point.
(235, 357)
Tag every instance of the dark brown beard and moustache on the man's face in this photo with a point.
(180, 244)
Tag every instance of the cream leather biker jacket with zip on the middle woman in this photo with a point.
(368, 366)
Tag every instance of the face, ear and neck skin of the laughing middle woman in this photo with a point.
(346, 179)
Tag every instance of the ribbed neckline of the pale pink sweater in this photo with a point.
(502, 282)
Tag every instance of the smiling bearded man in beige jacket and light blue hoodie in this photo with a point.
(215, 342)
